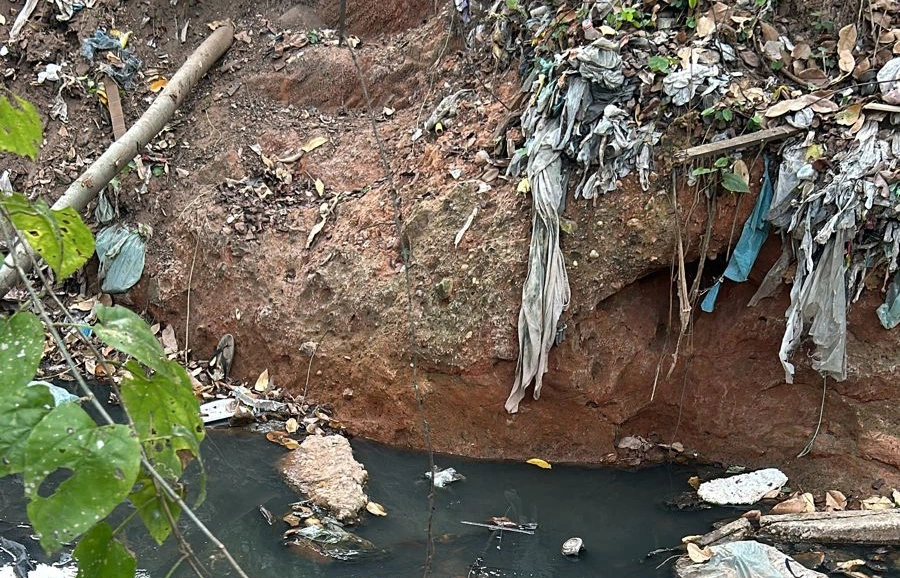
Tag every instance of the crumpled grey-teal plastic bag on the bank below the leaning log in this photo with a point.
(121, 251)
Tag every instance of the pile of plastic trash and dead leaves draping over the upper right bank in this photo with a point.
(605, 80)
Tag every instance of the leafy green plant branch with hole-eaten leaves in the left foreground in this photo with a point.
(140, 461)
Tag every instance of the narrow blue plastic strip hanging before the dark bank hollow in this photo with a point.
(756, 230)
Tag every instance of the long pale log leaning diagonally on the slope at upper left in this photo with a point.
(111, 162)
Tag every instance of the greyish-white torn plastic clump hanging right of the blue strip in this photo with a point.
(829, 225)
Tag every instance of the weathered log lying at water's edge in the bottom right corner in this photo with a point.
(873, 527)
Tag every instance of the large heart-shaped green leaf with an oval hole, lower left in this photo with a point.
(103, 462)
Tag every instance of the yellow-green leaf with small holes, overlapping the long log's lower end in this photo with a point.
(60, 237)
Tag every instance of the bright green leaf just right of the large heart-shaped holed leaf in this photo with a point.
(165, 414)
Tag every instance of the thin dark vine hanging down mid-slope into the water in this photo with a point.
(405, 256)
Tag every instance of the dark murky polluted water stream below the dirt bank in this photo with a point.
(620, 515)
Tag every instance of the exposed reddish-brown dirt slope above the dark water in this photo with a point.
(253, 276)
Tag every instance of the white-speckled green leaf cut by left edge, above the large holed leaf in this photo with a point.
(21, 348)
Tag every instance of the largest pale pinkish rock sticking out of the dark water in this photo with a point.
(323, 468)
